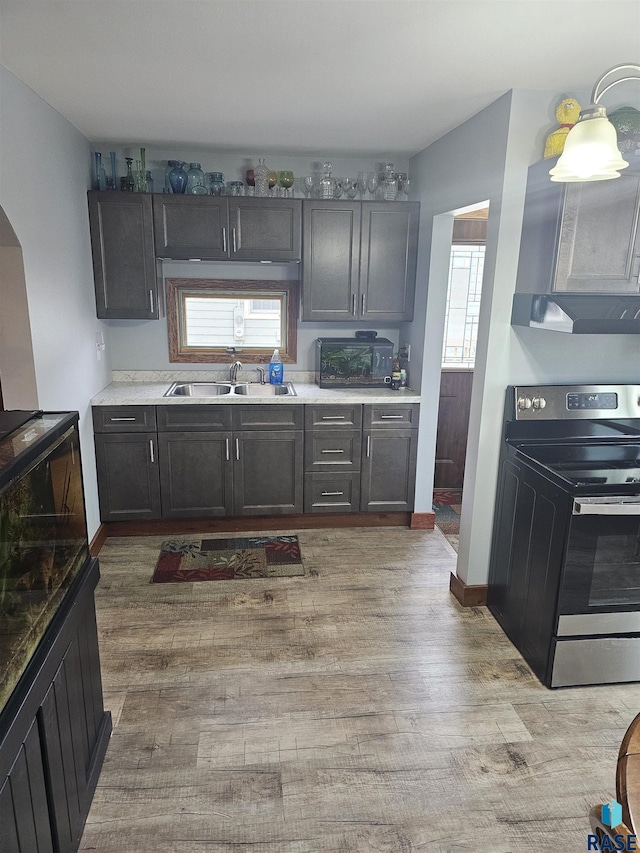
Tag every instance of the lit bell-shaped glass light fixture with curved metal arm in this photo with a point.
(591, 149)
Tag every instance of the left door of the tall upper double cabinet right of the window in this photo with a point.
(331, 260)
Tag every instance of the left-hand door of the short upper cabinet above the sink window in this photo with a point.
(189, 227)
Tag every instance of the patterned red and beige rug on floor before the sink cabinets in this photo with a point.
(228, 559)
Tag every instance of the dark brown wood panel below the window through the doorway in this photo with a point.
(453, 427)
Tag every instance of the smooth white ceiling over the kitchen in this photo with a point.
(351, 77)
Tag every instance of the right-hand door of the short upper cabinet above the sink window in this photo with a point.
(265, 229)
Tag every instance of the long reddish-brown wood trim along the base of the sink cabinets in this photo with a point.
(161, 527)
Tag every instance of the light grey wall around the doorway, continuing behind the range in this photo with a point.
(487, 159)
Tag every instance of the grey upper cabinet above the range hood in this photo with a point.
(579, 237)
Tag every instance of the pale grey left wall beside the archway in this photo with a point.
(44, 175)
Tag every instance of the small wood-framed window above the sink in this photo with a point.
(212, 320)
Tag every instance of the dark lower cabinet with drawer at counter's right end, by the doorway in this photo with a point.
(389, 450)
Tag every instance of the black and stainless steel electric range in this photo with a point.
(564, 579)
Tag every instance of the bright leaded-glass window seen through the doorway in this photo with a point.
(463, 305)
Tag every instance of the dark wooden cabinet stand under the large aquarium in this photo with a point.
(54, 733)
